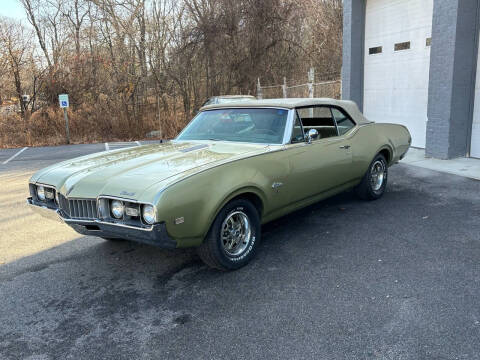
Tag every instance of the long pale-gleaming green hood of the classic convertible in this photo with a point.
(128, 172)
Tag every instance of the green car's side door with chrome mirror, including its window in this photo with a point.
(323, 164)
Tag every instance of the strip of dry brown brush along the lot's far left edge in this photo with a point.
(88, 124)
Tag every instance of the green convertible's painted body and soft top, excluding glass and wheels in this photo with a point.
(189, 182)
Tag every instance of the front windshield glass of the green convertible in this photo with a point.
(254, 125)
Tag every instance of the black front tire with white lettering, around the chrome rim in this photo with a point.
(213, 252)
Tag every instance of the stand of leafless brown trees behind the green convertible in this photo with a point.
(131, 66)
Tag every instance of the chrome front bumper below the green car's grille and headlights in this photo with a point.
(155, 235)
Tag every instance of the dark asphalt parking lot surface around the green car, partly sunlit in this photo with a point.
(397, 278)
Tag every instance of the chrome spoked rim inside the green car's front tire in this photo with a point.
(236, 233)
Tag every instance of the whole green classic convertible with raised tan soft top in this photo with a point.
(234, 167)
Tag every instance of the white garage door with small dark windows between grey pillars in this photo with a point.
(397, 61)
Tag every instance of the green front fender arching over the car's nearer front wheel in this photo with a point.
(190, 206)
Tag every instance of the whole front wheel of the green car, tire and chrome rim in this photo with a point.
(233, 238)
